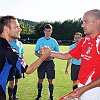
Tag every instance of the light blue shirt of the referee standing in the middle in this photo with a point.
(51, 43)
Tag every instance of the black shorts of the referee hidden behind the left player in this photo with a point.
(14, 74)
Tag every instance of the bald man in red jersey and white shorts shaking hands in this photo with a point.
(89, 51)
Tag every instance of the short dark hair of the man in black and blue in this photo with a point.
(5, 21)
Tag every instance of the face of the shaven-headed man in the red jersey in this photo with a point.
(89, 24)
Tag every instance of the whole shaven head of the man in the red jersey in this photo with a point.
(91, 22)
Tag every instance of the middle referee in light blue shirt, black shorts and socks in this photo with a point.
(48, 65)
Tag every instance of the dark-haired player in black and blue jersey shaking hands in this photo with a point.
(10, 30)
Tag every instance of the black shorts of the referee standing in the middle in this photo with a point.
(48, 68)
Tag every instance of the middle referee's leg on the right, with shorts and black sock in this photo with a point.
(51, 76)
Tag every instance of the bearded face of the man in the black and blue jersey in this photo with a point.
(14, 31)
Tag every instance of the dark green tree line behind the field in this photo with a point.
(61, 30)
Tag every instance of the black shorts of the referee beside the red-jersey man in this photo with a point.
(74, 72)
